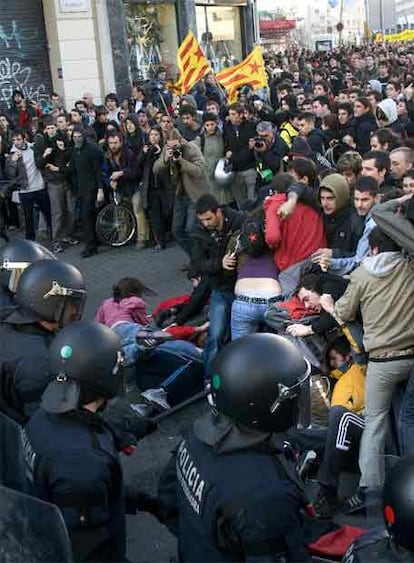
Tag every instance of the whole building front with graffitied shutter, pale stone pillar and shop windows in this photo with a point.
(101, 46)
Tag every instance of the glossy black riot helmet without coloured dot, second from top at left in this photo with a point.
(53, 291)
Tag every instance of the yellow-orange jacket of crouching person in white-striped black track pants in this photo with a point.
(349, 391)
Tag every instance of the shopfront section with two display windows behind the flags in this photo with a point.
(225, 29)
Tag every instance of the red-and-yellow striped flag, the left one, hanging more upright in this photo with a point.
(191, 63)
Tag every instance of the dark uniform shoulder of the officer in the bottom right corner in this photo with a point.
(376, 546)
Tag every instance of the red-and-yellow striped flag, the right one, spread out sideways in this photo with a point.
(250, 71)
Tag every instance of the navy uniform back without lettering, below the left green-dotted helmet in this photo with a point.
(72, 462)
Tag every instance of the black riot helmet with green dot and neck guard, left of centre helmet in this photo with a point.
(83, 356)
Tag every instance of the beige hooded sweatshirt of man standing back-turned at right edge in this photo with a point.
(382, 288)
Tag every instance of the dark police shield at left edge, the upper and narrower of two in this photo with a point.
(12, 473)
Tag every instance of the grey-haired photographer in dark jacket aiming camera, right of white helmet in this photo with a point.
(269, 151)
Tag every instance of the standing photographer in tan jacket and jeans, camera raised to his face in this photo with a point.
(185, 164)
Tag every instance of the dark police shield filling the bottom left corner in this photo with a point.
(31, 531)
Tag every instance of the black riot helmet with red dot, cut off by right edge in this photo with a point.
(398, 502)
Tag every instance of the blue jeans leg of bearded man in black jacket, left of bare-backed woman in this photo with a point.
(219, 315)
